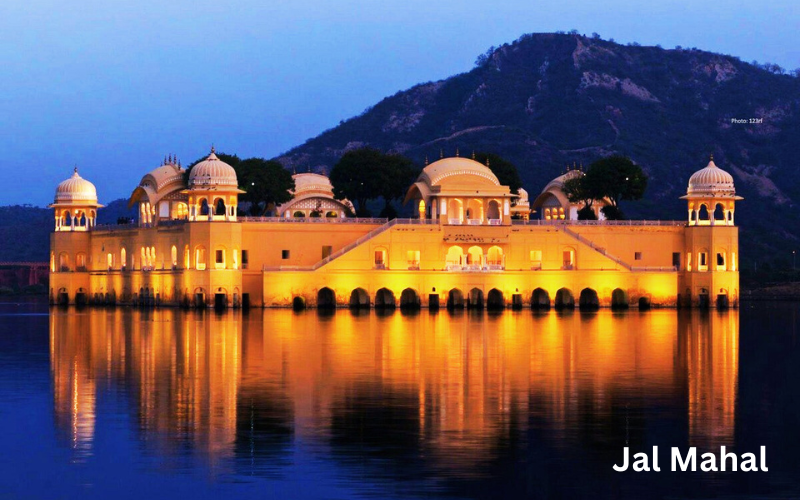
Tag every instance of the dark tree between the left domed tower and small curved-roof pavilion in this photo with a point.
(265, 182)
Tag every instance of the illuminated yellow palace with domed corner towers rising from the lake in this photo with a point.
(472, 243)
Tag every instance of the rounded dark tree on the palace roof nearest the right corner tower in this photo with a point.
(615, 178)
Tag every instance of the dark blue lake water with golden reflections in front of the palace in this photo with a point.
(122, 403)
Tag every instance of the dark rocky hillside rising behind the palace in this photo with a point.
(548, 100)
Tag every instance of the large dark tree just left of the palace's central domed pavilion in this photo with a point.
(365, 174)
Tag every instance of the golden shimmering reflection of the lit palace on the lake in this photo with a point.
(454, 386)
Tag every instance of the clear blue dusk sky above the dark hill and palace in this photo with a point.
(114, 86)
